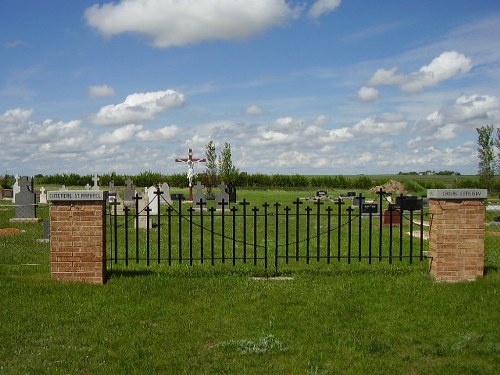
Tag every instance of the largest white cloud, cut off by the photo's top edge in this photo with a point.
(176, 23)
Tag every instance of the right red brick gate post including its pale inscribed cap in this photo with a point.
(456, 238)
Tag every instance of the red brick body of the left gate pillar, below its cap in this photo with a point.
(77, 241)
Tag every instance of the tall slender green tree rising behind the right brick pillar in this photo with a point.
(486, 155)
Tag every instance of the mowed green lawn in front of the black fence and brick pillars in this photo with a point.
(336, 319)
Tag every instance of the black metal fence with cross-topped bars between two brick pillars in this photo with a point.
(271, 236)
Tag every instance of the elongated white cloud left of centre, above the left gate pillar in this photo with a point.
(138, 107)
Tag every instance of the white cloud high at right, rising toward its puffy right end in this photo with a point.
(446, 66)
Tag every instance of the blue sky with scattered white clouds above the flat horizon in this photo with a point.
(324, 87)
